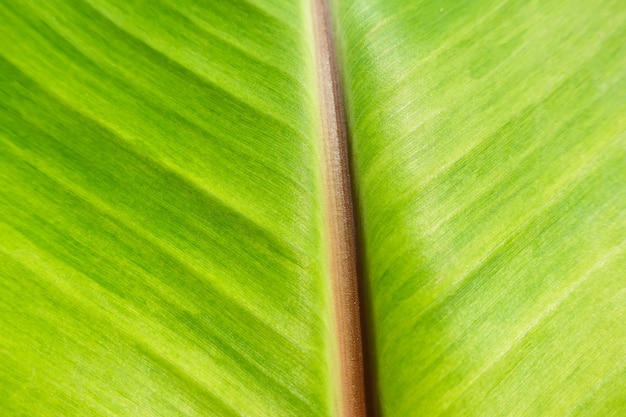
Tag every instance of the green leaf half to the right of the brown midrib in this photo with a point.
(489, 140)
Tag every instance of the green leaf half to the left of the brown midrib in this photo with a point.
(161, 230)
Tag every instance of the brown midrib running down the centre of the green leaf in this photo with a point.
(341, 222)
